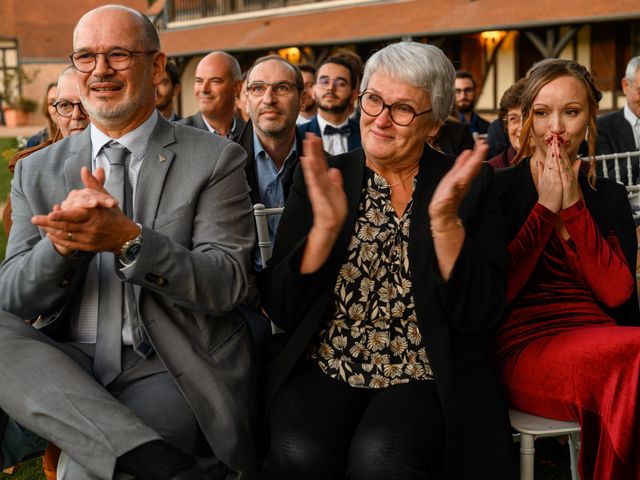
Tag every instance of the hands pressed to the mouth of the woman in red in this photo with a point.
(558, 186)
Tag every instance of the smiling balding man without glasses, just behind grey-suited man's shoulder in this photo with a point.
(216, 86)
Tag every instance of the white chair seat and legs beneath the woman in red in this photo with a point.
(530, 427)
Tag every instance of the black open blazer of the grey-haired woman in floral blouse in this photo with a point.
(457, 317)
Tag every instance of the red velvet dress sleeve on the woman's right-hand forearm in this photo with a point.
(599, 261)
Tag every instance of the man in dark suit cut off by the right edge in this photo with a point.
(619, 131)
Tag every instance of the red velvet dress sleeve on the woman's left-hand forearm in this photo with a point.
(526, 246)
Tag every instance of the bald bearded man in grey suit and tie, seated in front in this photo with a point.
(178, 383)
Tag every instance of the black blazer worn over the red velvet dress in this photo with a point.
(607, 204)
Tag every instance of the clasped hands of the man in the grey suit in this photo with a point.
(88, 220)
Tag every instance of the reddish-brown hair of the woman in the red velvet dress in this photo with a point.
(540, 75)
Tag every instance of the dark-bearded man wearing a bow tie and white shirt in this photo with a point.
(335, 91)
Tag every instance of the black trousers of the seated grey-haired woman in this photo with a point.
(320, 428)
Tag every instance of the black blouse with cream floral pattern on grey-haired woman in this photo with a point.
(371, 338)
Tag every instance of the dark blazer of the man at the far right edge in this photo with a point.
(615, 135)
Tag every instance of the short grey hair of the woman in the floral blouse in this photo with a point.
(420, 65)
